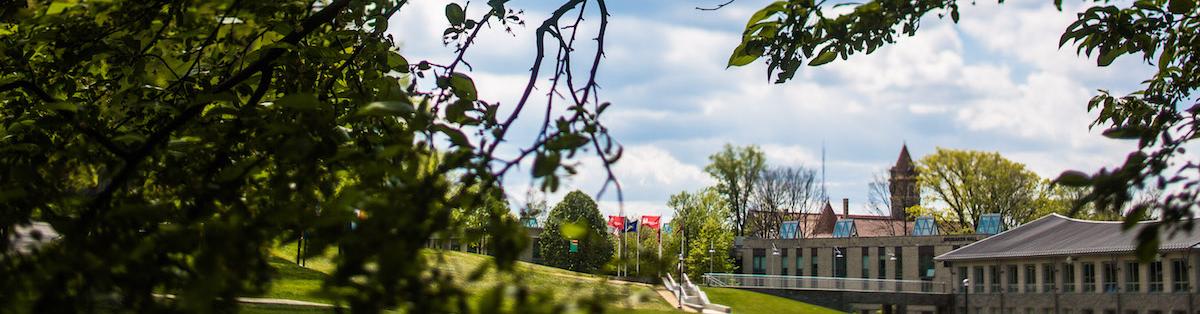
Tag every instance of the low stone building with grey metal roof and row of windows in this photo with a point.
(1071, 267)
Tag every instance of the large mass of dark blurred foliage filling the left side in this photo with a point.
(173, 143)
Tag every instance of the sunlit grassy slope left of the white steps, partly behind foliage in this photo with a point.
(304, 283)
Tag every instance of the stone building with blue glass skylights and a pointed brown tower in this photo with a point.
(861, 249)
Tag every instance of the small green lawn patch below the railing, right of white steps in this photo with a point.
(743, 301)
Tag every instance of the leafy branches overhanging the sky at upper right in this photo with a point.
(1162, 117)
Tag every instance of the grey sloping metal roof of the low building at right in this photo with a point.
(1055, 235)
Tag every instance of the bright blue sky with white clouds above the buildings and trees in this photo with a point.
(995, 82)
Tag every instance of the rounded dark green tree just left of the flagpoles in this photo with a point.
(577, 218)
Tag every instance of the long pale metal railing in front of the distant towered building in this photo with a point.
(824, 283)
